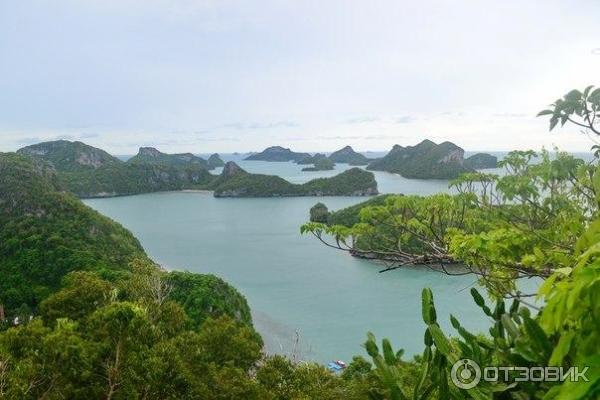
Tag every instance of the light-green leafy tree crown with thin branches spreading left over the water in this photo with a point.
(502, 228)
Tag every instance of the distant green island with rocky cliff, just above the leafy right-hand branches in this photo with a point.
(428, 160)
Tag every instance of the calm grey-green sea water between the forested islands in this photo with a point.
(295, 286)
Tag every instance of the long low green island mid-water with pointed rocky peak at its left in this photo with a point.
(235, 182)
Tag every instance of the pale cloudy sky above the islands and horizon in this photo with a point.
(225, 76)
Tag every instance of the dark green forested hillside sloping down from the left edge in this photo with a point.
(45, 234)
